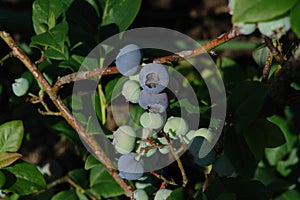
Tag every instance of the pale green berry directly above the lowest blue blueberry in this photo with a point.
(124, 139)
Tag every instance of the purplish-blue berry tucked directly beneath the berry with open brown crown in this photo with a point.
(156, 103)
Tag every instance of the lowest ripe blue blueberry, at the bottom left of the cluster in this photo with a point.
(130, 166)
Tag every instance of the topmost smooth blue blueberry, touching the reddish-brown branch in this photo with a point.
(128, 60)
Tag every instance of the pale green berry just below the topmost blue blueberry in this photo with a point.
(131, 90)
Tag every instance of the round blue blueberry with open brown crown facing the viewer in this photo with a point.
(154, 77)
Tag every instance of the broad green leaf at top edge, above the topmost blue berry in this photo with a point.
(120, 12)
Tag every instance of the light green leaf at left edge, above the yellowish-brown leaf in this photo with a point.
(11, 135)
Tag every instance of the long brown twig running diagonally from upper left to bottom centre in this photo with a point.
(63, 109)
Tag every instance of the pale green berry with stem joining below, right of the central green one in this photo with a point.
(176, 126)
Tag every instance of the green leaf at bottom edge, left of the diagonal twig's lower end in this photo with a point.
(102, 184)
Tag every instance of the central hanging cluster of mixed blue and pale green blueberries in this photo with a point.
(145, 86)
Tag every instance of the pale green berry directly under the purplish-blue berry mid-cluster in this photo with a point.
(151, 120)
